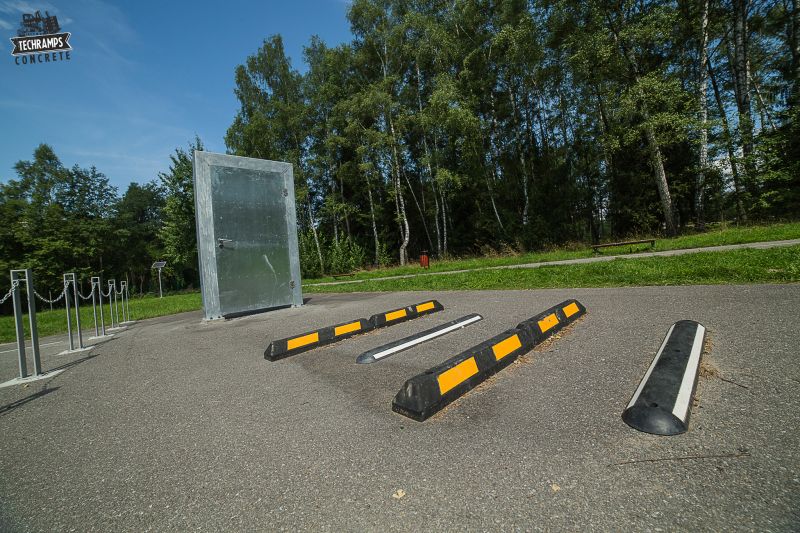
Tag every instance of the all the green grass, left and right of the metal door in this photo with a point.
(778, 265)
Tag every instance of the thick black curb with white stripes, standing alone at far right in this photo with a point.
(662, 403)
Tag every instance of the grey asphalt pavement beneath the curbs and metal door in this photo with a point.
(178, 424)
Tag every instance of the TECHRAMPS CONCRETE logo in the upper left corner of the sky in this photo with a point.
(40, 40)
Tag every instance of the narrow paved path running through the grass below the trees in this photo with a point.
(597, 259)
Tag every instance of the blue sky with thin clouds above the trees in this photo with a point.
(144, 77)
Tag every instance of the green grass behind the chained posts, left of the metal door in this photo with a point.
(54, 322)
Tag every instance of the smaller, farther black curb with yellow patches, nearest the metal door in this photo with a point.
(312, 339)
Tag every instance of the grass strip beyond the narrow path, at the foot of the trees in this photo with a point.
(714, 237)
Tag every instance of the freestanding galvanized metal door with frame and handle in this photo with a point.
(246, 234)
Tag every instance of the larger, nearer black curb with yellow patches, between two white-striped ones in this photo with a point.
(425, 394)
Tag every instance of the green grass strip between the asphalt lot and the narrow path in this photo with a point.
(775, 265)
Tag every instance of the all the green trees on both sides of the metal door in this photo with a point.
(467, 127)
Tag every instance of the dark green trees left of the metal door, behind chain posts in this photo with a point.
(59, 219)
